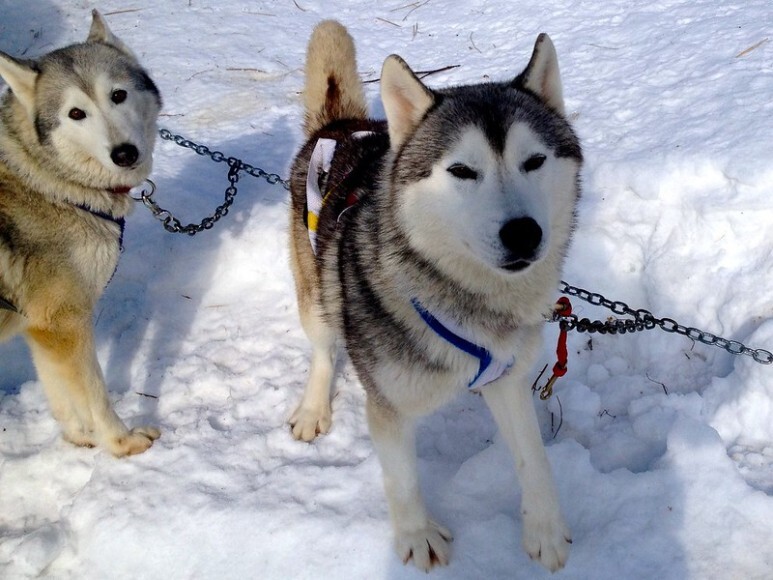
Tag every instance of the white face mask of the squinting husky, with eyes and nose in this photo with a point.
(493, 207)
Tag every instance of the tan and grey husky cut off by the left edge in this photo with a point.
(77, 129)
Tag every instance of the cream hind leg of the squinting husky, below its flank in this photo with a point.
(313, 415)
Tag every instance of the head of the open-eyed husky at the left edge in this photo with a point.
(91, 109)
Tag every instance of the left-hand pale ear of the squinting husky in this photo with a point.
(405, 99)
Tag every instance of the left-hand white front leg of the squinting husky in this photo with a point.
(417, 537)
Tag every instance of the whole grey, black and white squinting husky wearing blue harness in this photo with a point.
(432, 244)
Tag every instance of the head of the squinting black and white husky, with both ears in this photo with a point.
(484, 176)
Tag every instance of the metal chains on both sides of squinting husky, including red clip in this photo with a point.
(640, 319)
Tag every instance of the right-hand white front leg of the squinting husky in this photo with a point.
(546, 537)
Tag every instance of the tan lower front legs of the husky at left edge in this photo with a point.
(67, 366)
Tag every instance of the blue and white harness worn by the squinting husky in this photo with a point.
(489, 368)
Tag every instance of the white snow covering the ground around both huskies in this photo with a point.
(664, 455)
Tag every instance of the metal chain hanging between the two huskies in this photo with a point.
(170, 222)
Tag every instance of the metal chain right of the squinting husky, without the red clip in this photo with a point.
(645, 320)
